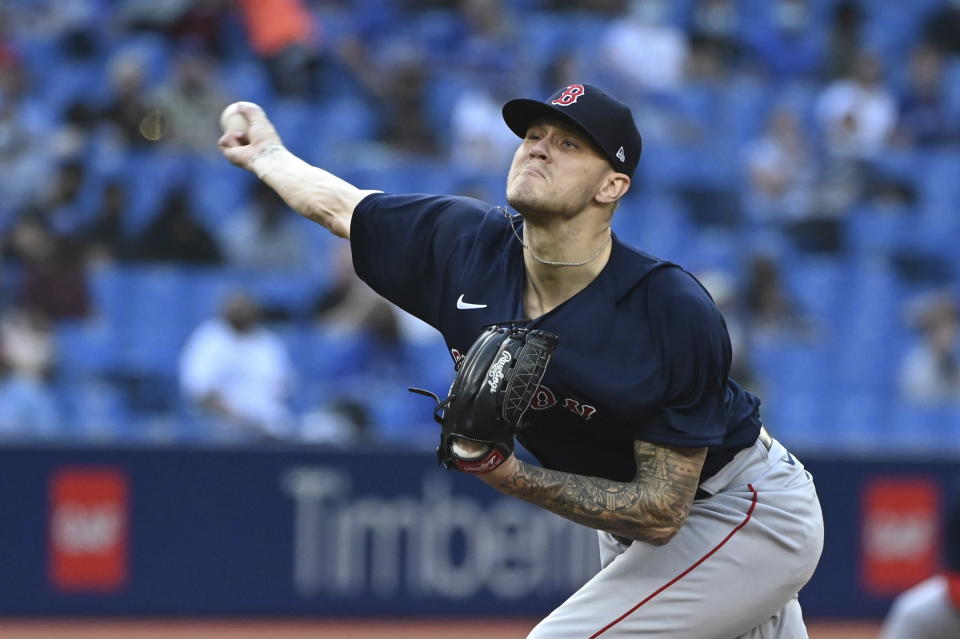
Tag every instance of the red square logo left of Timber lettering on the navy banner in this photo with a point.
(88, 529)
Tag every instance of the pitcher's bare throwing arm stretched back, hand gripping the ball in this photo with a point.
(312, 192)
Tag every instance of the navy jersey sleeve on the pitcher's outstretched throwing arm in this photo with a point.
(402, 245)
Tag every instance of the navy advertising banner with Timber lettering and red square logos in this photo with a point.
(308, 532)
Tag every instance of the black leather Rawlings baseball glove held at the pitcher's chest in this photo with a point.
(495, 383)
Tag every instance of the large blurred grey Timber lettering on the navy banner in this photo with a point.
(431, 544)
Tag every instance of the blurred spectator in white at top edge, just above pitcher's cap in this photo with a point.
(643, 48)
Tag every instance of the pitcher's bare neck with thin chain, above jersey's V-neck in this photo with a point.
(549, 283)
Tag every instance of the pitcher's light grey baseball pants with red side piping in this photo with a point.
(733, 570)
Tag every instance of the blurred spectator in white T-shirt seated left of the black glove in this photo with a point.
(238, 374)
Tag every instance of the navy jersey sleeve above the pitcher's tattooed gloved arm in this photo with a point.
(694, 352)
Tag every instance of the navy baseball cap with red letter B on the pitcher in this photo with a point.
(604, 119)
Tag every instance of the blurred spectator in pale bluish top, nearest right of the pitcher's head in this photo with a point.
(781, 170)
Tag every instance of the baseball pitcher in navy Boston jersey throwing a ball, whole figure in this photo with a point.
(609, 365)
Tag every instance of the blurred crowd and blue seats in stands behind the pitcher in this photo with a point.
(802, 157)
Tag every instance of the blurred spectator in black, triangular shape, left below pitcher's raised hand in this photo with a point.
(176, 236)
